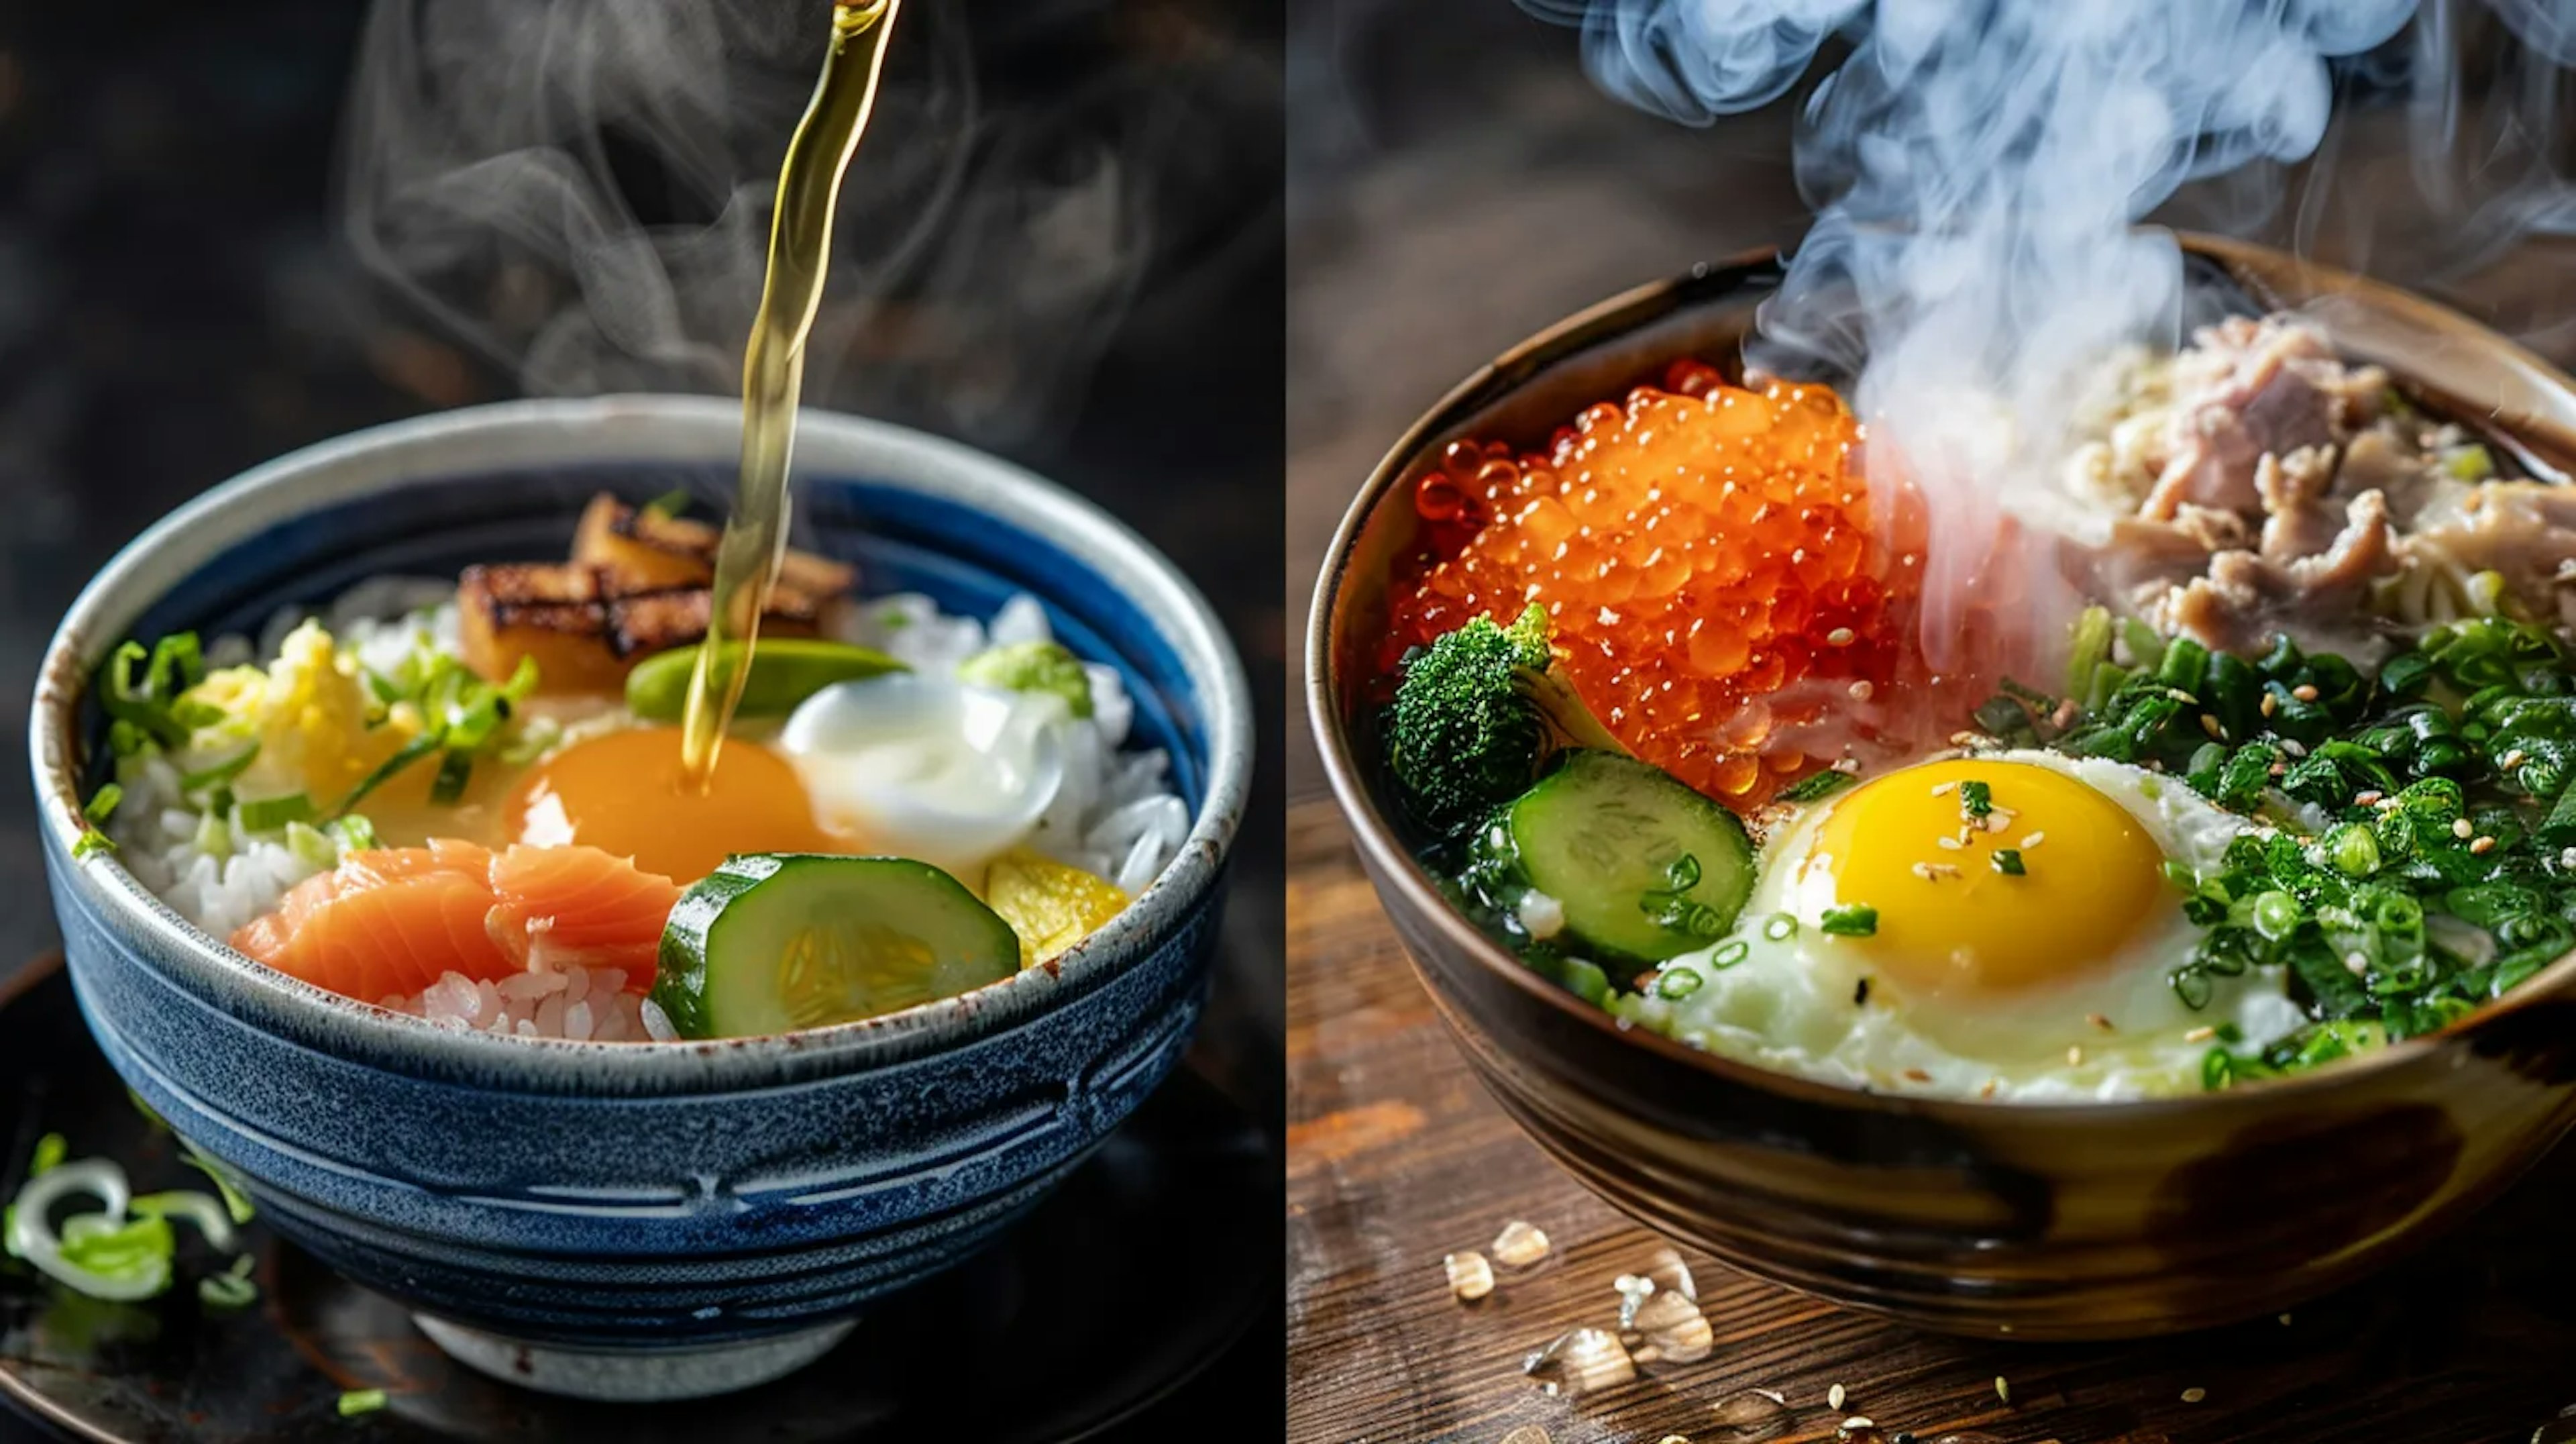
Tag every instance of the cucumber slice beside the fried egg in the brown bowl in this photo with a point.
(1642, 865)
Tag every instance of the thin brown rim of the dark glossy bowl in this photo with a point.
(1395, 868)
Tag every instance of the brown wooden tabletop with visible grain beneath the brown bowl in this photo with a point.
(1400, 1159)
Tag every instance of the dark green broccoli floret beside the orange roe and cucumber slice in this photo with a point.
(1477, 716)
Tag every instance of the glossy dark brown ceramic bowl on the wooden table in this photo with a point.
(2062, 1221)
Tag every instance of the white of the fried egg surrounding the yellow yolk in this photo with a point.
(1797, 999)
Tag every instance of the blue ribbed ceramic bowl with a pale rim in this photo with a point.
(630, 1221)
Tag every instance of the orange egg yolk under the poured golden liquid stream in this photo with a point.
(625, 795)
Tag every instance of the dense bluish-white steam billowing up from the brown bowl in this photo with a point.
(1977, 174)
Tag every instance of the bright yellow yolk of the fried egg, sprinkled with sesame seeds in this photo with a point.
(1951, 919)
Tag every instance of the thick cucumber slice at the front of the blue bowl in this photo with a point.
(777, 942)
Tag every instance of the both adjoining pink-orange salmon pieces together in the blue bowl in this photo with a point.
(393, 922)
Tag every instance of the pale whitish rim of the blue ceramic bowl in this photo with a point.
(635, 429)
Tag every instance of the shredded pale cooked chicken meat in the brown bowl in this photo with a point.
(2260, 486)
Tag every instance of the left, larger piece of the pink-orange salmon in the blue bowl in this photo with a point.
(383, 927)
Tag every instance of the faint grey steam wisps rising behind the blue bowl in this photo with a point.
(581, 190)
